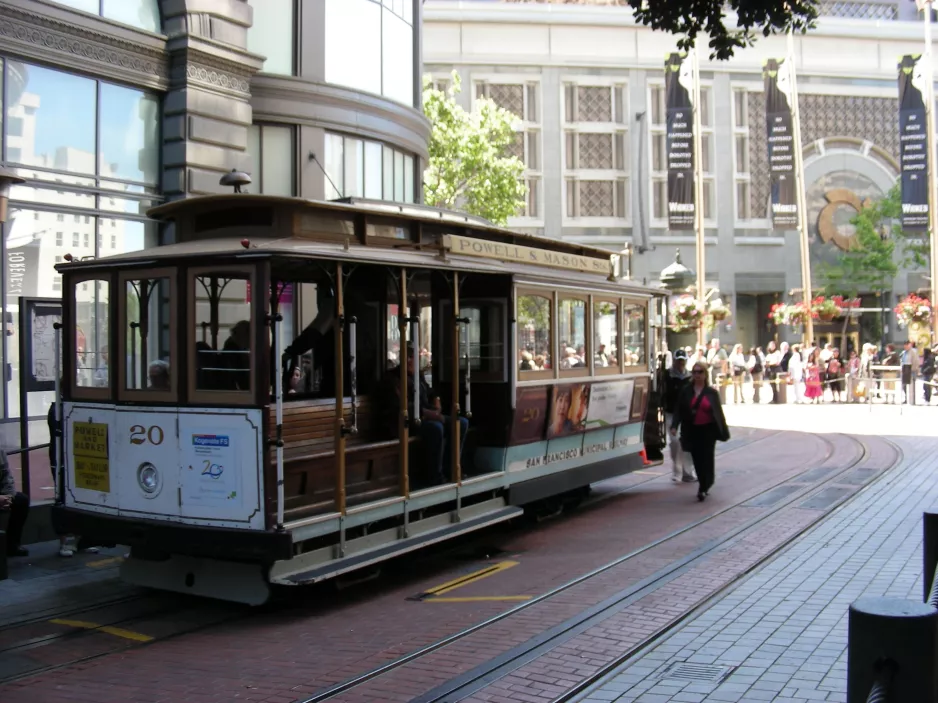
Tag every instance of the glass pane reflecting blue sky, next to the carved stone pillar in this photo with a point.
(129, 146)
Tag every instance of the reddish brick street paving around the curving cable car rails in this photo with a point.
(286, 654)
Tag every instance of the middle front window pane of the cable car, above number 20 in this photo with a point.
(148, 363)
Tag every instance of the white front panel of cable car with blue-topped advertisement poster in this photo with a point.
(221, 468)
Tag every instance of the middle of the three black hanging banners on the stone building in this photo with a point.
(779, 125)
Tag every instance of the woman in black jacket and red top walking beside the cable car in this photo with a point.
(699, 415)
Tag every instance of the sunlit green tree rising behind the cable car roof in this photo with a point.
(470, 168)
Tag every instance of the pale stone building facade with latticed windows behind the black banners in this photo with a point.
(588, 86)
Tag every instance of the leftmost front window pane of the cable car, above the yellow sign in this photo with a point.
(92, 343)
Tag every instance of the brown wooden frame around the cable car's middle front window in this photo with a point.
(125, 394)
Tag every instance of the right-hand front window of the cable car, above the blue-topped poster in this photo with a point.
(223, 331)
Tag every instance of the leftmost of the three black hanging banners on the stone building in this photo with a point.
(678, 86)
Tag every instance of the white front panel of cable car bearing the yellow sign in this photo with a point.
(95, 486)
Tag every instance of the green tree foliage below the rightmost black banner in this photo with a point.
(880, 248)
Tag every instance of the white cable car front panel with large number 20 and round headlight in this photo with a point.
(147, 442)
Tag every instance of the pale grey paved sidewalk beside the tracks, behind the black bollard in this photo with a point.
(781, 635)
